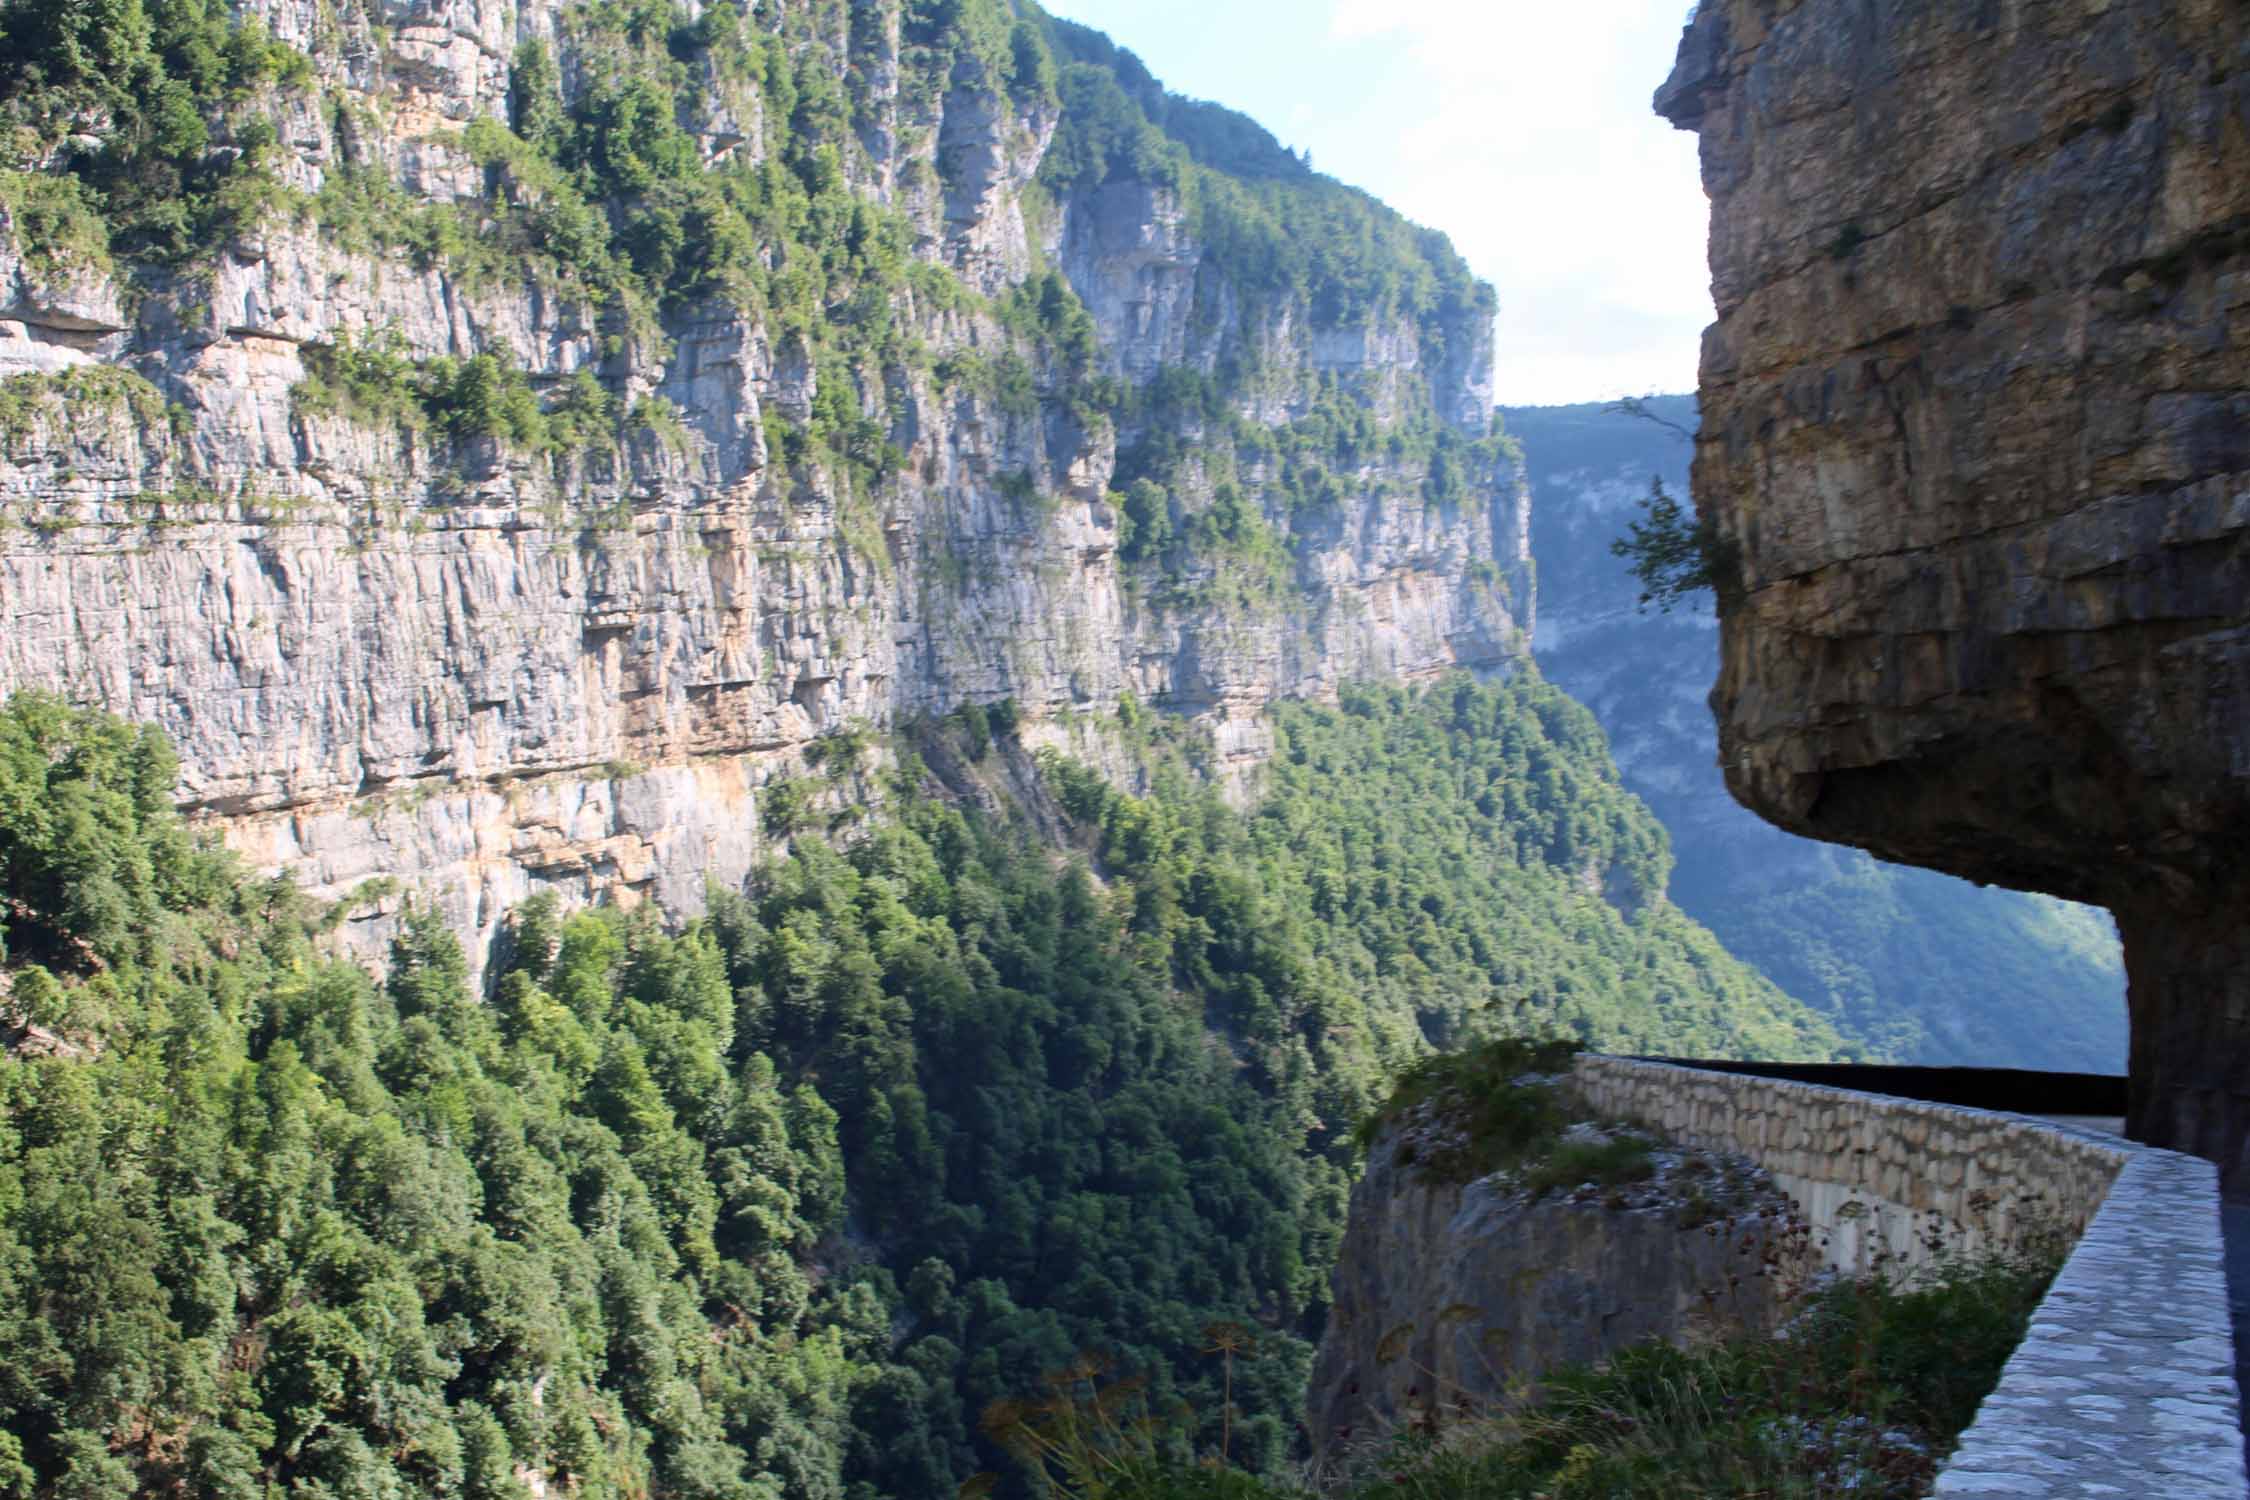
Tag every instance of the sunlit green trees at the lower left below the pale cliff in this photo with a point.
(289, 1229)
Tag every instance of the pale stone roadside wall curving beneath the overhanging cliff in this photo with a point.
(2125, 1382)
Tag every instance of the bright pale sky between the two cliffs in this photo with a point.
(1518, 127)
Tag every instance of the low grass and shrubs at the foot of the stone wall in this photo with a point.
(1862, 1395)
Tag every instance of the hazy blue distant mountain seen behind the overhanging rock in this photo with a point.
(1920, 966)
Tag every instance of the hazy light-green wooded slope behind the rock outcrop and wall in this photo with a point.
(1441, 860)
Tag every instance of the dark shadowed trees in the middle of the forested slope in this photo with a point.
(1027, 1110)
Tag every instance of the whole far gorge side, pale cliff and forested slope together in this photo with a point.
(863, 678)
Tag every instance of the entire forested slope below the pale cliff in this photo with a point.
(786, 1200)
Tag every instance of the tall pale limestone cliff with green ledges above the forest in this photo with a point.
(813, 435)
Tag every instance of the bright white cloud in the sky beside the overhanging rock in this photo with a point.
(1533, 145)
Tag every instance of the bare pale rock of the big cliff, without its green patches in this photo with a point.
(471, 669)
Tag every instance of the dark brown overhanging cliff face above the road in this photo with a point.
(1977, 419)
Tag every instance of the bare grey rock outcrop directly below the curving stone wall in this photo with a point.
(1455, 1294)
